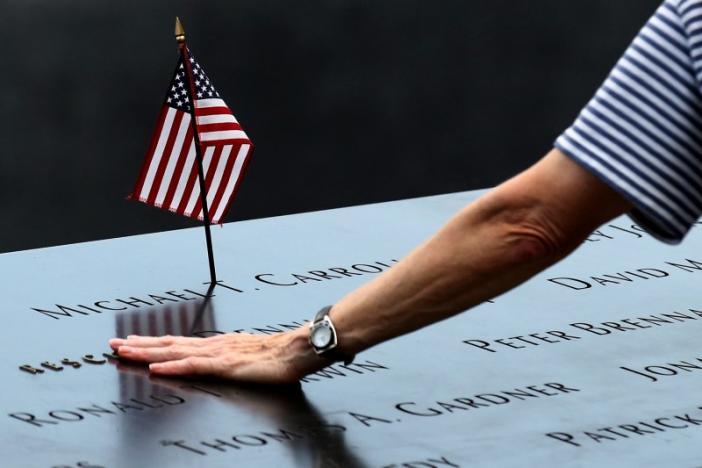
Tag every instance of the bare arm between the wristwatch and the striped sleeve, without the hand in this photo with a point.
(494, 244)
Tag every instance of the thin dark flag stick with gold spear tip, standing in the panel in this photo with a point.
(180, 38)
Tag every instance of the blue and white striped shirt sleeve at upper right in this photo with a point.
(642, 131)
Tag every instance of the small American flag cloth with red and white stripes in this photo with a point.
(169, 176)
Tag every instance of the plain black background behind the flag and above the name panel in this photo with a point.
(347, 101)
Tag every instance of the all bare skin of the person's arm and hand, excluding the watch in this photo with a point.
(513, 232)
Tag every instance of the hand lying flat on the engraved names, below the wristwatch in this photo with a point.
(272, 359)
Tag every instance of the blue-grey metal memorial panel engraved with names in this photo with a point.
(594, 362)
